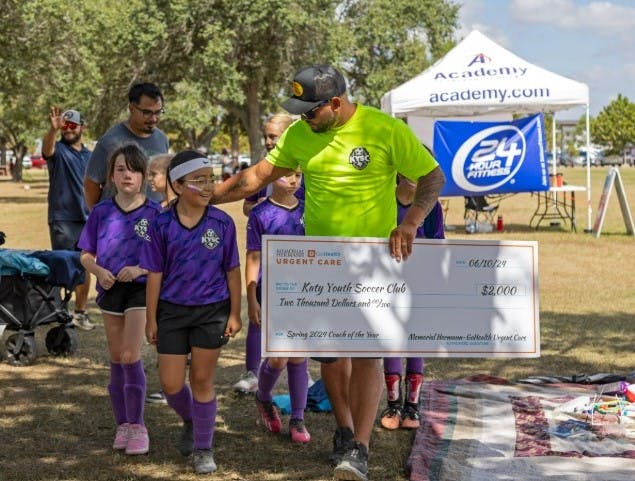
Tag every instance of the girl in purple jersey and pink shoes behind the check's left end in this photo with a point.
(281, 213)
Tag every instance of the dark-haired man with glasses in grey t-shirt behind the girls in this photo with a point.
(145, 110)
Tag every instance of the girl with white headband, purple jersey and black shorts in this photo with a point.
(193, 299)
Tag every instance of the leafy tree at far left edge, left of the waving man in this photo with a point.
(34, 64)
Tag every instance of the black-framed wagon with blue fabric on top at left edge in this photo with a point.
(35, 289)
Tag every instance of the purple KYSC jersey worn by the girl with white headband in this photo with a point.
(194, 262)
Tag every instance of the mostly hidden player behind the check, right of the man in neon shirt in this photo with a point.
(405, 412)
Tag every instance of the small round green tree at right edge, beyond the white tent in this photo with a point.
(615, 125)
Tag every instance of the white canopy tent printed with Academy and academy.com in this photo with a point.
(479, 78)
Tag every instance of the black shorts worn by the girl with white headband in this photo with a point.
(179, 328)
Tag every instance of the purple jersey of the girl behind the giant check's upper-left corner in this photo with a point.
(270, 218)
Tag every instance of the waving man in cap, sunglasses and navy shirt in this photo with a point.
(66, 161)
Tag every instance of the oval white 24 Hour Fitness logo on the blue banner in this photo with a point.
(489, 158)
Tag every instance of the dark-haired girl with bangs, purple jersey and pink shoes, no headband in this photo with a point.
(111, 243)
